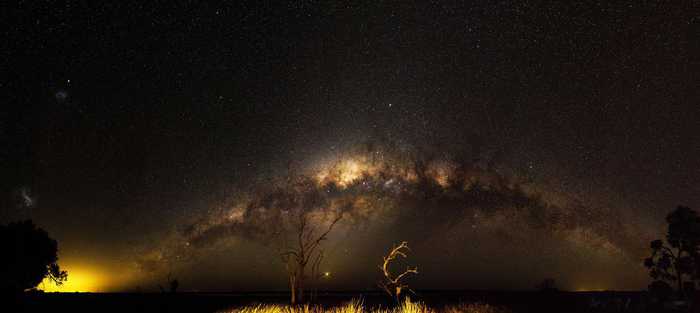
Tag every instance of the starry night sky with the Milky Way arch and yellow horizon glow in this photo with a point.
(506, 142)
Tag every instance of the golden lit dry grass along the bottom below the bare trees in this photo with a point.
(356, 306)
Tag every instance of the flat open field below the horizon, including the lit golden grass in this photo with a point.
(342, 302)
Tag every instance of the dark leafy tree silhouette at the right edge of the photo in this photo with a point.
(677, 260)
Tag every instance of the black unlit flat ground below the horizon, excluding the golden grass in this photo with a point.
(517, 301)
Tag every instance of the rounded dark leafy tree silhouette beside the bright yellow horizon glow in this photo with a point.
(30, 256)
